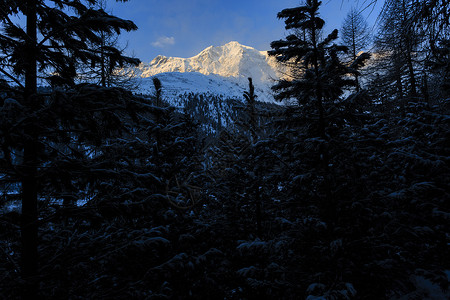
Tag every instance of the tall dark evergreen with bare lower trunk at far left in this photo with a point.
(56, 38)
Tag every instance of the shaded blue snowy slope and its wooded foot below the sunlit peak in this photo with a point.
(215, 102)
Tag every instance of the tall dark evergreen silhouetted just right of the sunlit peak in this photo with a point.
(319, 75)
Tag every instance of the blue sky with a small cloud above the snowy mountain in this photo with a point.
(185, 27)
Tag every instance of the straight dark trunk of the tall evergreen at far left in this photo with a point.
(29, 219)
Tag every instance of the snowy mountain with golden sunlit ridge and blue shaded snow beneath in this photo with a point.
(221, 70)
